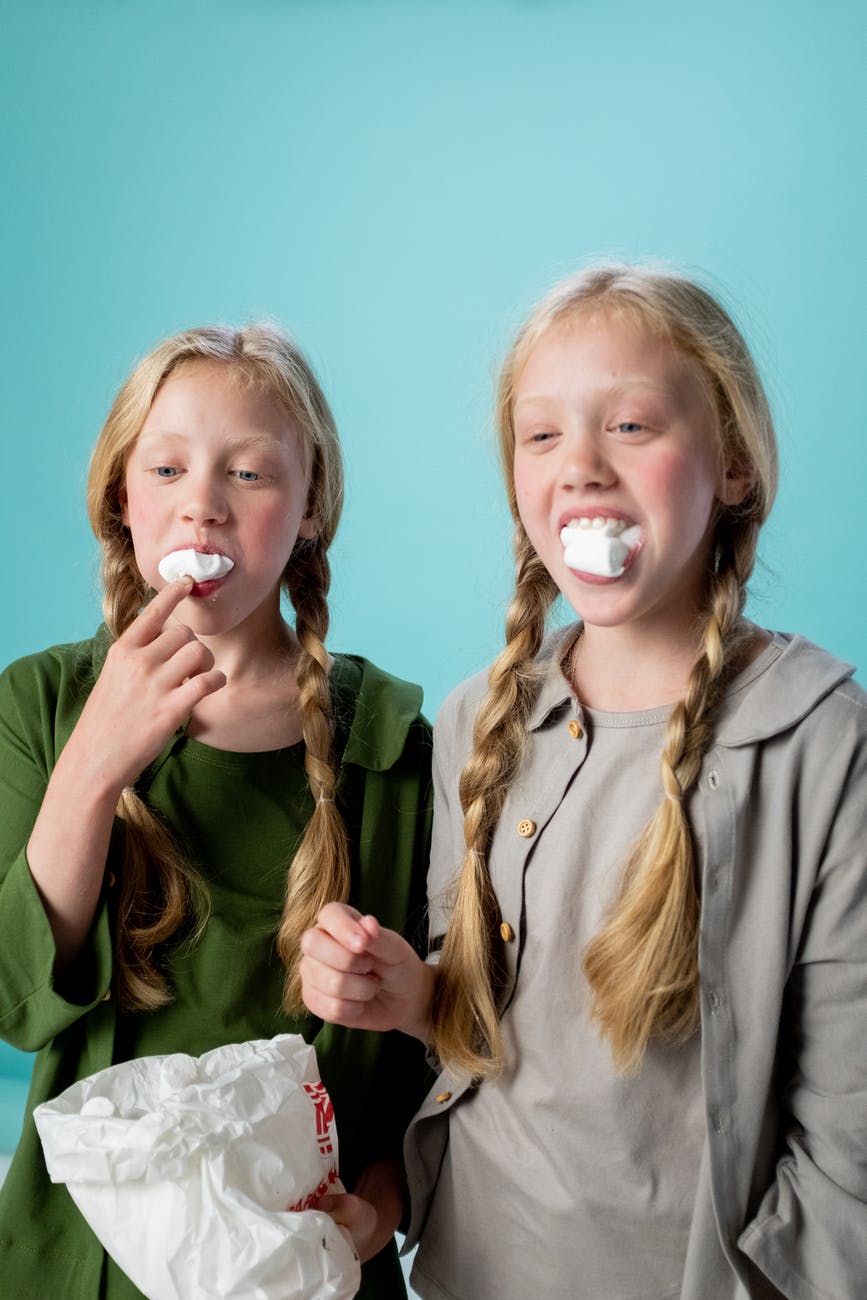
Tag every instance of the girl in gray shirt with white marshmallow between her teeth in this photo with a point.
(648, 983)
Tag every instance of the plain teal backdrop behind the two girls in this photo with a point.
(397, 181)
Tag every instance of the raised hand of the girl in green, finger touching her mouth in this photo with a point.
(154, 677)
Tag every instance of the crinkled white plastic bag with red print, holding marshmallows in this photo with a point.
(185, 1168)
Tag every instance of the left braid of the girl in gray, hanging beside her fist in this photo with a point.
(466, 1028)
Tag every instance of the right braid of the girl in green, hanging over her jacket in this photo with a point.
(320, 870)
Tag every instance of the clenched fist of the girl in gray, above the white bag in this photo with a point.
(357, 974)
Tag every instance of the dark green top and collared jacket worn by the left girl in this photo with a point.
(240, 817)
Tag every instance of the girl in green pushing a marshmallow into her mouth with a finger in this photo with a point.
(183, 794)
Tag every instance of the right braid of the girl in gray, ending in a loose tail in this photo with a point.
(643, 967)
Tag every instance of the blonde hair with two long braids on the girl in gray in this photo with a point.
(643, 967)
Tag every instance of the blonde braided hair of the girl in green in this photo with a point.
(161, 892)
